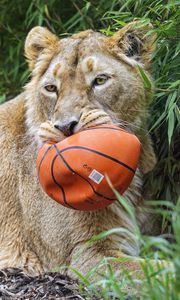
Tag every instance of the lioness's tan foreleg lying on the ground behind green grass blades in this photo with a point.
(94, 263)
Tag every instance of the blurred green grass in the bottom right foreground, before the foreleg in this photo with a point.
(161, 265)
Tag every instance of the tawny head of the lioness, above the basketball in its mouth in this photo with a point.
(86, 80)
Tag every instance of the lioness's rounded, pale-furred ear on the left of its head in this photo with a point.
(37, 40)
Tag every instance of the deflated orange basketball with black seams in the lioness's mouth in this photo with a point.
(73, 172)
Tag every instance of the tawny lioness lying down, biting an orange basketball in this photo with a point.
(77, 82)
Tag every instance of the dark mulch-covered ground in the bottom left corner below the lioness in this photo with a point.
(15, 284)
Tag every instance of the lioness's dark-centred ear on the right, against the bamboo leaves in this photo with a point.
(136, 42)
